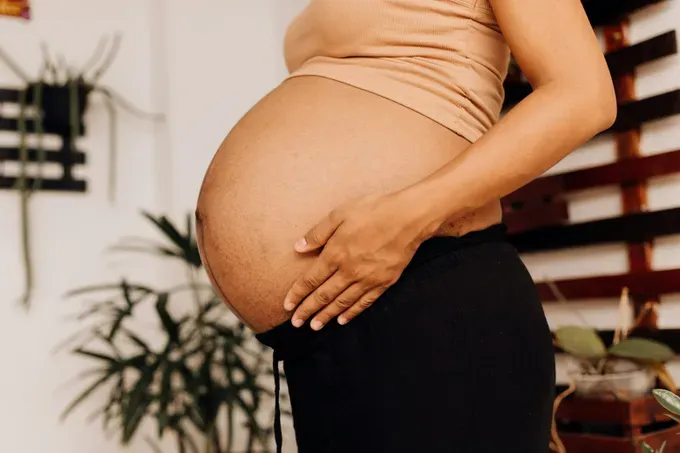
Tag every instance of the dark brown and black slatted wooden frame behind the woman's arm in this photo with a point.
(538, 220)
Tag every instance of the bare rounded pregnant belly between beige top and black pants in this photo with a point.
(307, 147)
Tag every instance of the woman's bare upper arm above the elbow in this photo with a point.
(552, 40)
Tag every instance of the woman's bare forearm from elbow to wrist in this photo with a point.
(535, 135)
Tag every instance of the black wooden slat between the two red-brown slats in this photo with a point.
(637, 227)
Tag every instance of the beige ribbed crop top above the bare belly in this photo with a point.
(445, 59)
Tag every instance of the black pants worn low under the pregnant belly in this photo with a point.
(455, 357)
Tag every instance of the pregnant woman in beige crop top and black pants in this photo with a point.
(352, 218)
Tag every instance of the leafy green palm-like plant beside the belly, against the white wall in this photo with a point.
(196, 378)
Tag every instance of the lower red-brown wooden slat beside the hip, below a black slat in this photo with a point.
(609, 286)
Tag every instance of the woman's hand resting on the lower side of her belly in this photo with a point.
(366, 246)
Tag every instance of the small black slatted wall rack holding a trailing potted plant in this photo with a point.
(54, 103)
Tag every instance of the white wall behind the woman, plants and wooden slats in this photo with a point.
(182, 76)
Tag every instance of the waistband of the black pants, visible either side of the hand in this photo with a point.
(289, 341)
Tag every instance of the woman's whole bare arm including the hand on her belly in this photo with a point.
(366, 244)
